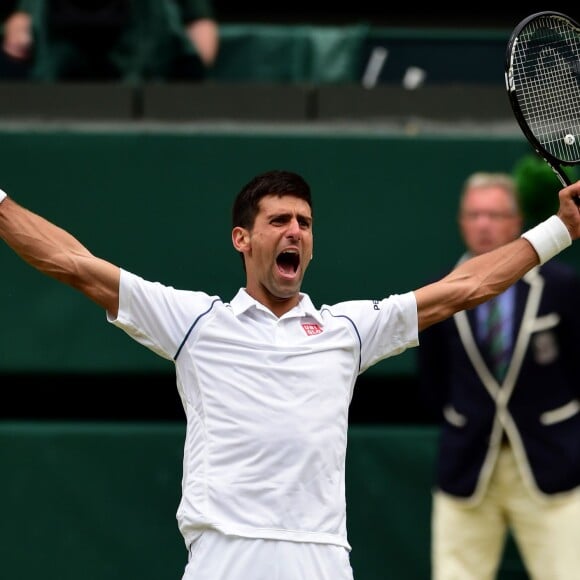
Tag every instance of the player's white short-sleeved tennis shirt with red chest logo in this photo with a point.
(266, 401)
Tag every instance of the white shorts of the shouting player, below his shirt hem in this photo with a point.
(215, 556)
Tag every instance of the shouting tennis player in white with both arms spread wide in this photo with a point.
(266, 379)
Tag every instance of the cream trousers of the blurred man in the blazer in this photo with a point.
(468, 542)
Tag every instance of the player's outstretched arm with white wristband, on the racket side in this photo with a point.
(482, 277)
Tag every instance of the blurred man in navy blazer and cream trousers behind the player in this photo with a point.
(509, 447)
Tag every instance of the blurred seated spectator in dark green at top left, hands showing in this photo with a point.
(127, 40)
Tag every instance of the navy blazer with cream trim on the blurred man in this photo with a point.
(537, 405)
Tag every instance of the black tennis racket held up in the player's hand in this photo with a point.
(542, 75)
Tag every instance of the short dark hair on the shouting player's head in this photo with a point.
(275, 182)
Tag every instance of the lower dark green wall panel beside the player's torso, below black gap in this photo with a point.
(97, 501)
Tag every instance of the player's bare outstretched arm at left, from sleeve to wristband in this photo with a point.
(56, 253)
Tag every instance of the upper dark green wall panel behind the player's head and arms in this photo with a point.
(157, 201)
